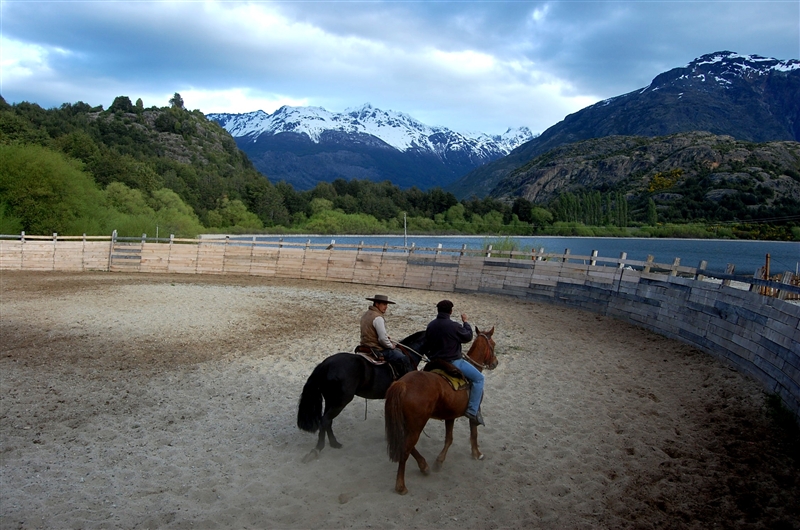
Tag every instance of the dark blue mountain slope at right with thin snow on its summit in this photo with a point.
(749, 97)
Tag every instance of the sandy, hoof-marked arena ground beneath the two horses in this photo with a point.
(169, 401)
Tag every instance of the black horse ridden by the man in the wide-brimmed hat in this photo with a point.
(338, 379)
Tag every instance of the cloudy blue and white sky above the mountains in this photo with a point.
(466, 65)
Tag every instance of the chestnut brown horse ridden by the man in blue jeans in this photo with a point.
(418, 396)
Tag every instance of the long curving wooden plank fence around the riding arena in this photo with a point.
(757, 334)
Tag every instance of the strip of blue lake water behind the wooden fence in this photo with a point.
(747, 256)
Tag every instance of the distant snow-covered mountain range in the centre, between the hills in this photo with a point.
(305, 145)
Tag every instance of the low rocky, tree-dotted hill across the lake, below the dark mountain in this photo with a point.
(680, 178)
